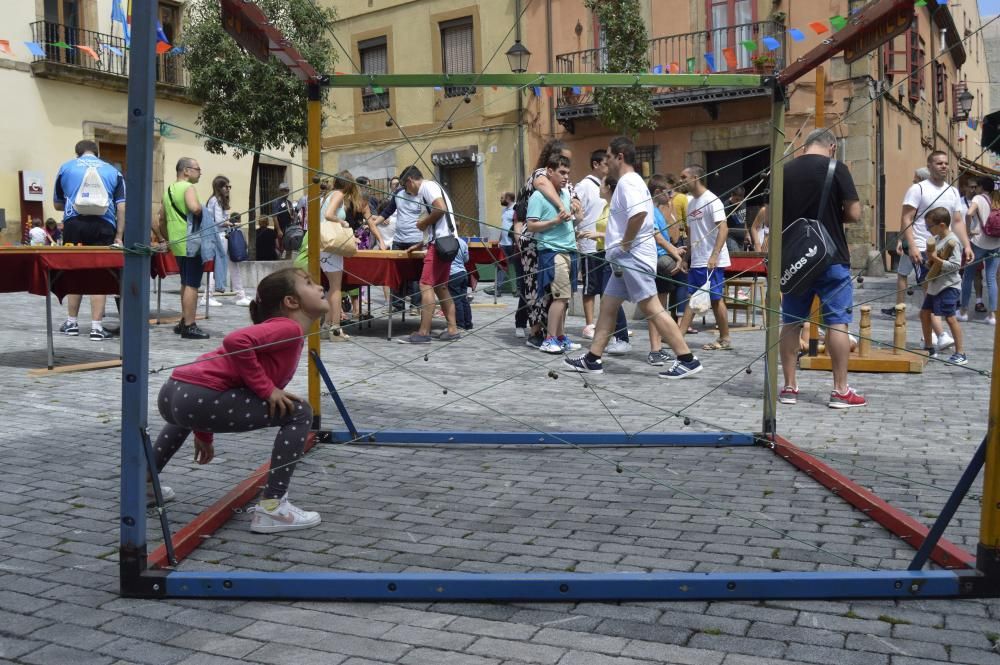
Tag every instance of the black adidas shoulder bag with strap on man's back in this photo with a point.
(806, 246)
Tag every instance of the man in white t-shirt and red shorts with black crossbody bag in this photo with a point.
(439, 223)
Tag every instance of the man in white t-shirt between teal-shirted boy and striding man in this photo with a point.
(592, 264)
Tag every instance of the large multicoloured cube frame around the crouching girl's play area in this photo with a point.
(137, 579)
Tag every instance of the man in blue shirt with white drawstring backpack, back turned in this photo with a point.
(91, 194)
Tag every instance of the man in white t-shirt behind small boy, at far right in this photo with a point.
(935, 192)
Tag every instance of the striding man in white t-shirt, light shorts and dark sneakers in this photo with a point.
(631, 250)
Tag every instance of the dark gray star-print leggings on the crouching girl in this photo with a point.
(187, 407)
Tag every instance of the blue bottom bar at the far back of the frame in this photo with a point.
(552, 438)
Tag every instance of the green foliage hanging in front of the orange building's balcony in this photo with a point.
(626, 110)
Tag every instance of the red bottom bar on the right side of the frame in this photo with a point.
(947, 554)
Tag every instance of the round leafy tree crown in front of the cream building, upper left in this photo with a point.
(244, 101)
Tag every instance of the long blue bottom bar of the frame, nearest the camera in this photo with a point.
(562, 587)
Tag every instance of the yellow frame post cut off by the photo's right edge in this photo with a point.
(988, 551)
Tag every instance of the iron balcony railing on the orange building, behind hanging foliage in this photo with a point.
(685, 53)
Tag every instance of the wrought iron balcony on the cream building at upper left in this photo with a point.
(70, 53)
